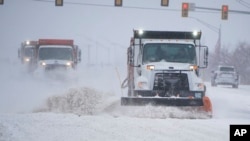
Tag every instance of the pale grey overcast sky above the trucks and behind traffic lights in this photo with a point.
(109, 28)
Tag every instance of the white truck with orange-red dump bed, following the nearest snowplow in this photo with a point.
(57, 54)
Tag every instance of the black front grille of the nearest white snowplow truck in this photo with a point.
(171, 84)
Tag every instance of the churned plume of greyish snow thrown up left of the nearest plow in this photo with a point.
(81, 101)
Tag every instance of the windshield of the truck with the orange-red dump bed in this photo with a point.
(55, 53)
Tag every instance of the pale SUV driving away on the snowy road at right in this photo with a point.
(225, 75)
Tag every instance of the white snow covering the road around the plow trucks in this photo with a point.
(39, 109)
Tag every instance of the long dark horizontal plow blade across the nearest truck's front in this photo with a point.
(141, 101)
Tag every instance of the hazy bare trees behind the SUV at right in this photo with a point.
(238, 57)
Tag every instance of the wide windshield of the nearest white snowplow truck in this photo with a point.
(169, 52)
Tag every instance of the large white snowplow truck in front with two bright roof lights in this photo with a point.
(164, 68)
